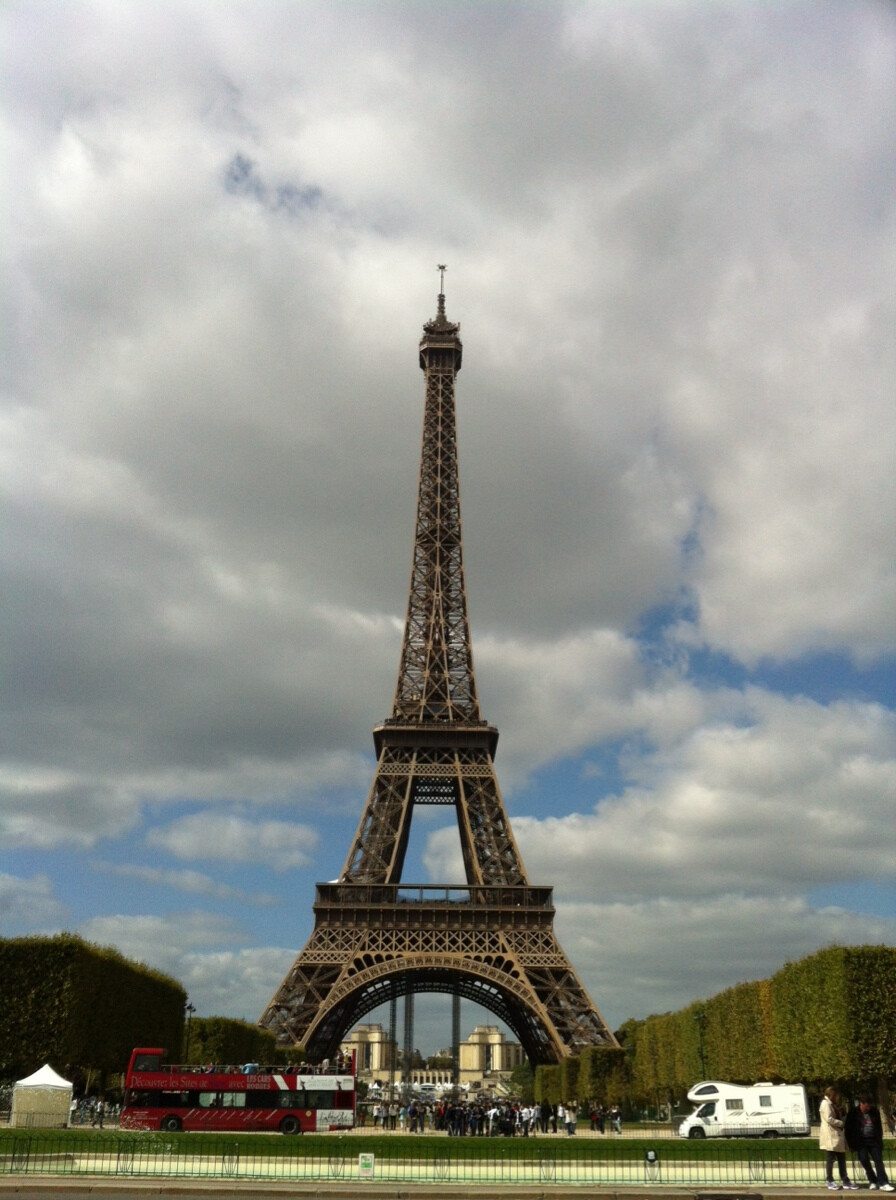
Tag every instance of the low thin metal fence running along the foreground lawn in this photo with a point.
(428, 1162)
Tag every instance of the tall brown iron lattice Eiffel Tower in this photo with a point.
(491, 940)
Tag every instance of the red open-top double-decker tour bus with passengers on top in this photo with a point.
(292, 1100)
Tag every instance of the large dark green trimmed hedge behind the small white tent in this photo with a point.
(79, 1006)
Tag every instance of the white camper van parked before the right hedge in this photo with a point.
(762, 1111)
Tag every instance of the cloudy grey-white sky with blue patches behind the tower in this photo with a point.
(671, 239)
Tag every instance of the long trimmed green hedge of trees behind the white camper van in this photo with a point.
(828, 1018)
